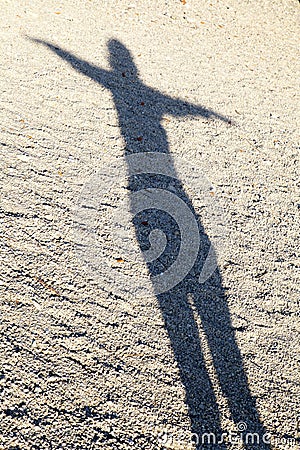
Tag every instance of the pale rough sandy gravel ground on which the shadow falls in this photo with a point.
(85, 362)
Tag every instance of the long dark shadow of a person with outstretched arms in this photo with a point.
(140, 111)
